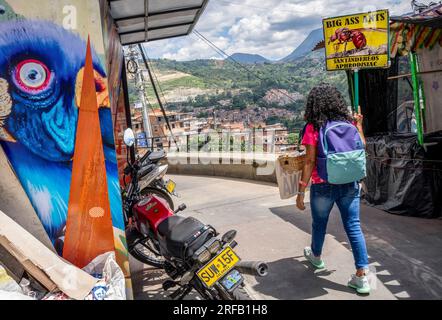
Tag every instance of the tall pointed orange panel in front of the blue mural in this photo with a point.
(89, 231)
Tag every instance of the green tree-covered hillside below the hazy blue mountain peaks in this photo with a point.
(229, 85)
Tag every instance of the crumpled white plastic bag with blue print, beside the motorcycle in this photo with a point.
(112, 284)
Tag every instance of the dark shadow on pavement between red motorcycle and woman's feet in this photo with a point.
(290, 278)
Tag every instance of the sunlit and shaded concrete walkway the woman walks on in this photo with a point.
(404, 252)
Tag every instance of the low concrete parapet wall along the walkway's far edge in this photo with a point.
(258, 167)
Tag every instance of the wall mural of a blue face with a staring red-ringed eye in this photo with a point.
(42, 60)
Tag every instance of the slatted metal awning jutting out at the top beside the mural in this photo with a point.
(149, 20)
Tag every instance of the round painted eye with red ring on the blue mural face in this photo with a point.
(32, 75)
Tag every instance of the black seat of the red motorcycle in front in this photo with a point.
(178, 232)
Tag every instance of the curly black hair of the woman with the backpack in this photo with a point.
(325, 103)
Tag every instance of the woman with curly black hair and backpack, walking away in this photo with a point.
(325, 112)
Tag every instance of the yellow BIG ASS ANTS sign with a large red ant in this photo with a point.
(357, 41)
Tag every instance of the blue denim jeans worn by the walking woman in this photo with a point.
(347, 197)
